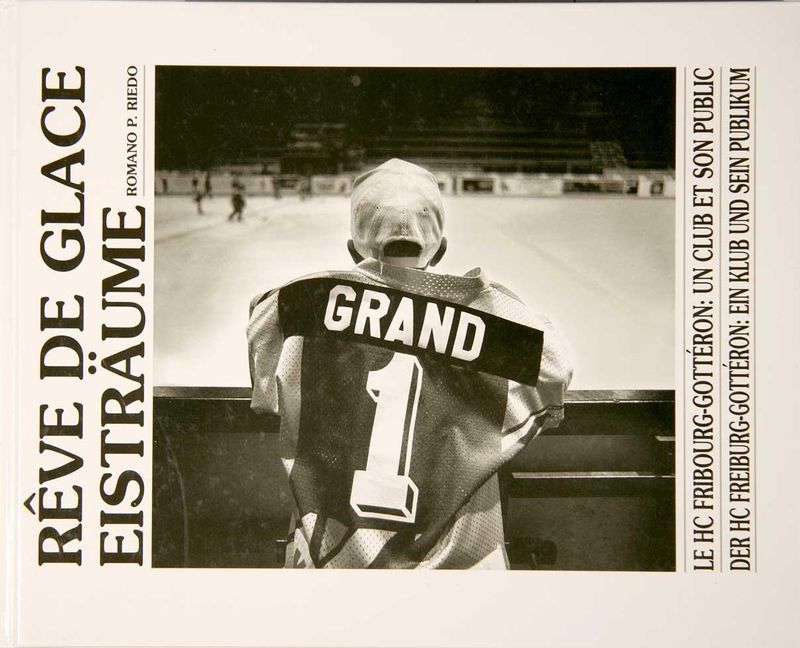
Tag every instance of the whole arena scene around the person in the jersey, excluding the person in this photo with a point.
(559, 183)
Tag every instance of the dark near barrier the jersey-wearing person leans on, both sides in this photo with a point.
(598, 493)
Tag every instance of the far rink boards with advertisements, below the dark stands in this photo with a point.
(642, 184)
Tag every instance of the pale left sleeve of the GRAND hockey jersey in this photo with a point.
(265, 342)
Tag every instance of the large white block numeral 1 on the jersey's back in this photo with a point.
(385, 490)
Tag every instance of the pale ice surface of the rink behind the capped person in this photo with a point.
(601, 268)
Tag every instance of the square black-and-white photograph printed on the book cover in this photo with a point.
(414, 318)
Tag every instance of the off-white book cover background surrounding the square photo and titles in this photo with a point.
(90, 605)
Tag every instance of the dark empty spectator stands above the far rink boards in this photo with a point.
(309, 122)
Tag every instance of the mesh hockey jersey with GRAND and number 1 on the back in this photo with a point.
(401, 393)
